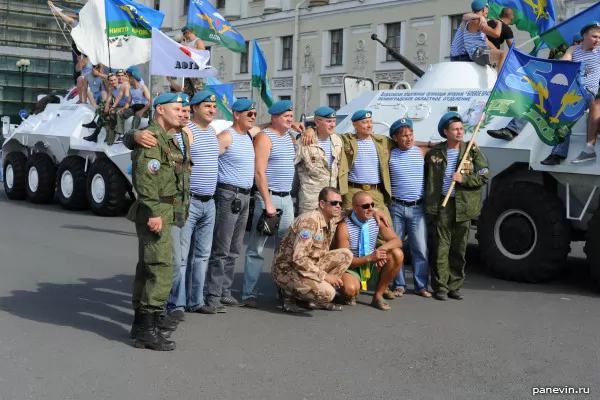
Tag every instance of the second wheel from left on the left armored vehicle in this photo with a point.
(41, 178)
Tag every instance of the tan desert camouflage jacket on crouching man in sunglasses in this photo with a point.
(307, 240)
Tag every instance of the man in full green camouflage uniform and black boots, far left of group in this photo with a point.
(158, 179)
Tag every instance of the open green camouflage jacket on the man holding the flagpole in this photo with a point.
(468, 193)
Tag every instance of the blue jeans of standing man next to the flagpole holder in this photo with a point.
(412, 221)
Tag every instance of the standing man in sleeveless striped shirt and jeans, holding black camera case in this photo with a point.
(275, 151)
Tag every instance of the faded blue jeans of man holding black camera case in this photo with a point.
(256, 243)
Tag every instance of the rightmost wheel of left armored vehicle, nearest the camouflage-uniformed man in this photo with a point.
(105, 188)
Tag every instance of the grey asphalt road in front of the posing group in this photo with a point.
(65, 282)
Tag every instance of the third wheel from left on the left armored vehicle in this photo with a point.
(71, 184)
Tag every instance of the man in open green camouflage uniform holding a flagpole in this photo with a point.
(450, 225)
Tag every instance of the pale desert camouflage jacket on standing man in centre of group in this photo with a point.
(313, 172)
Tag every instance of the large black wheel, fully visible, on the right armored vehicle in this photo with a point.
(523, 233)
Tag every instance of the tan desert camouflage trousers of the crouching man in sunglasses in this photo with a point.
(335, 262)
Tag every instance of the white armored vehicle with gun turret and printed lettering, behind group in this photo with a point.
(531, 213)
